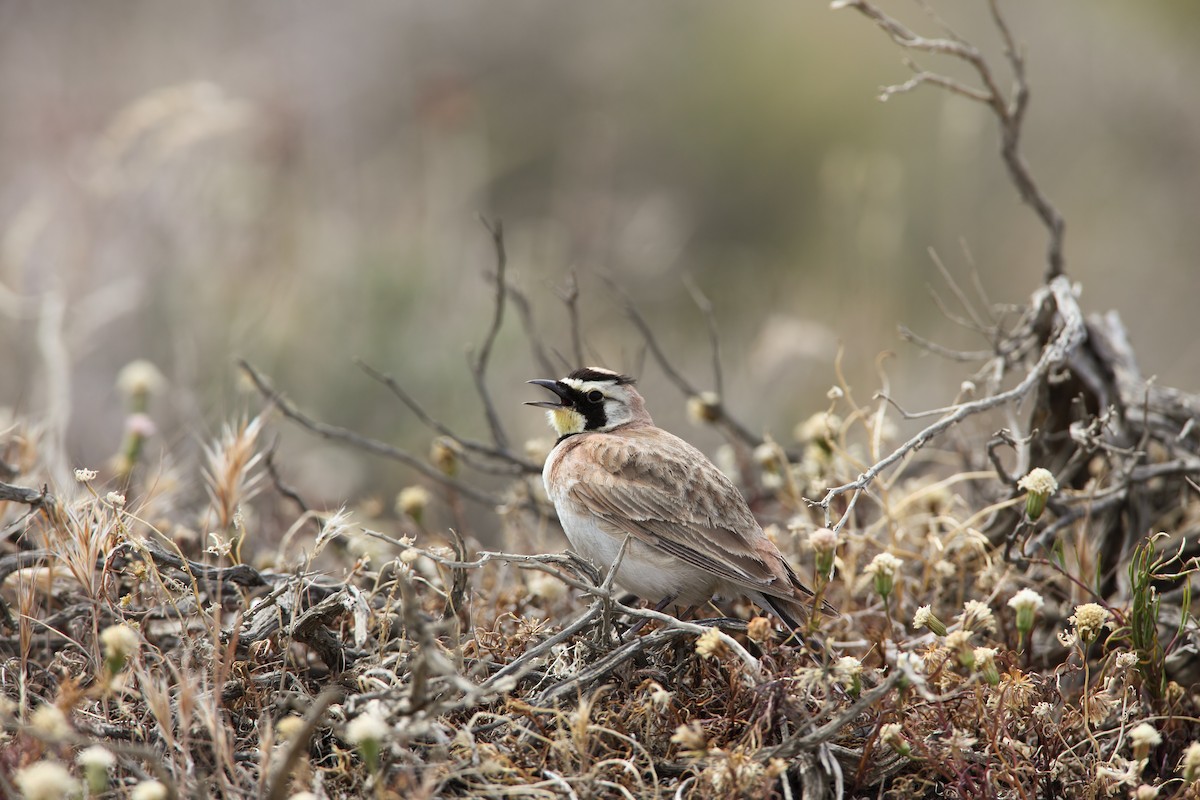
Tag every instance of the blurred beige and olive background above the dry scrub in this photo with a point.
(301, 184)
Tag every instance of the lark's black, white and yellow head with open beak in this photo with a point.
(592, 400)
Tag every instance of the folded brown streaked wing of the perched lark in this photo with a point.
(668, 495)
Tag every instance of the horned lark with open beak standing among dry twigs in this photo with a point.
(614, 474)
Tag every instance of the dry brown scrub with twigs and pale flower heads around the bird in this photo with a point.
(1012, 576)
